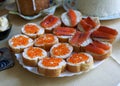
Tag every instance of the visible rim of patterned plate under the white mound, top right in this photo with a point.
(70, 4)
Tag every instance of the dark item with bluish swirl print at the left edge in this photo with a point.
(6, 60)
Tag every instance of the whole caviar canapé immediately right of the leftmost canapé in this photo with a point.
(46, 41)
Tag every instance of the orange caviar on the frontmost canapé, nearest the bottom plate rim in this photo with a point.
(51, 62)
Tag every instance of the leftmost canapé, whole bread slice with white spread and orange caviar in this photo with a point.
(19, 42)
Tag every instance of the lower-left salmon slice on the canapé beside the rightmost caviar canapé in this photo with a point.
(94, 49)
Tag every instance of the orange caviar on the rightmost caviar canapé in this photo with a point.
(76, 58)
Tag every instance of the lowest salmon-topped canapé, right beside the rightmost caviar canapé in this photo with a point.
(99, 50)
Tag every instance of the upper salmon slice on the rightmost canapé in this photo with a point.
(108, 30)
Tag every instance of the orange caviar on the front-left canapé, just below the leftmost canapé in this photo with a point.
(33, 52)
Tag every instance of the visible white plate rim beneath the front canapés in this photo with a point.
(64, 74)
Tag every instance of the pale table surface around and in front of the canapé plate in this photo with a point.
(107, 74)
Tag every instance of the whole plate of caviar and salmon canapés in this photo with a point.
(66, 46)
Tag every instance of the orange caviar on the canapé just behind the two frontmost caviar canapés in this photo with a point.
(61, 49)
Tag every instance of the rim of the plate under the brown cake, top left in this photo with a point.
(12, 10)
